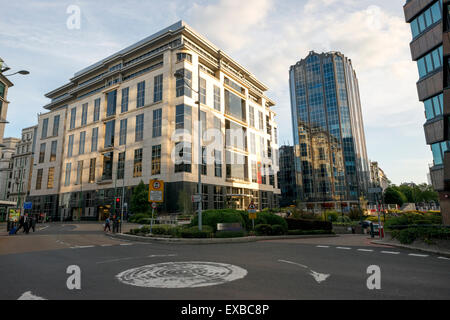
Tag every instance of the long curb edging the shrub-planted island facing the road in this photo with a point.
(211, 241)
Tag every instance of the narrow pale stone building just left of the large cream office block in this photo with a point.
(19, 185)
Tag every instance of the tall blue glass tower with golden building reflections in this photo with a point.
(332, 168)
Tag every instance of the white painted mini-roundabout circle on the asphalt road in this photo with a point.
(181, 274)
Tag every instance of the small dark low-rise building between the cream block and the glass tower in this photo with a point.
(286, 176)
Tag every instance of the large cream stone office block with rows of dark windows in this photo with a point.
(128, 118)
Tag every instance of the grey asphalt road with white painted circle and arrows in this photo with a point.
(320, 268)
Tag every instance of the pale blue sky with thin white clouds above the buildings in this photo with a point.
(265, 36)
